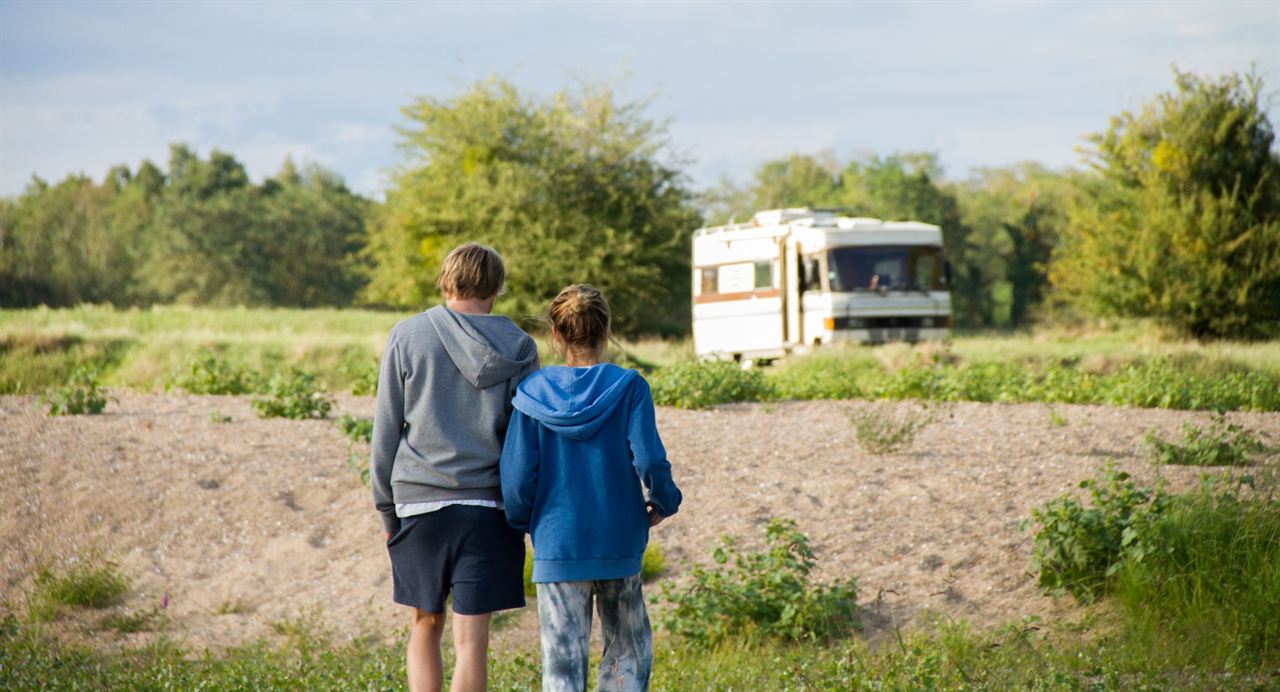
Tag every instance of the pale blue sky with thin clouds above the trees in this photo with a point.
(85, 86)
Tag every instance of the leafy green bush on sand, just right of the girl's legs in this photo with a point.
(769, 594)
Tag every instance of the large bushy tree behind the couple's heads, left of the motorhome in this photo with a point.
(575, 187)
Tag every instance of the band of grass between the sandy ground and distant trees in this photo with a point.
(1133, 364)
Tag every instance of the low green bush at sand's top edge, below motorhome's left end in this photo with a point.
(706, 384)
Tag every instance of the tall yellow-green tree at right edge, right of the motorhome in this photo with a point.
(1183, 221)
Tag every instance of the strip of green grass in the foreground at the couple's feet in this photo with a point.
(947, 656)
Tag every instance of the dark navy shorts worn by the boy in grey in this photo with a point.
(469, 552)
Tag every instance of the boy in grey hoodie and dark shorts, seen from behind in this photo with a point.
(445, 396)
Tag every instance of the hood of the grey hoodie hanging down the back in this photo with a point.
(470, 341)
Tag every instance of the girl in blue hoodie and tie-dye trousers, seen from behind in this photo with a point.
(582, 451)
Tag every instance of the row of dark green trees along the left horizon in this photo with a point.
(202, 235)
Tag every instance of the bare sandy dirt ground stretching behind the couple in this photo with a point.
(248, 524)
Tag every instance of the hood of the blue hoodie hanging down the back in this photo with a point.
(574, 402)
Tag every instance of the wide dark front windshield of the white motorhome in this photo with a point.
(904, 268)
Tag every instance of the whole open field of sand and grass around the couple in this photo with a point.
(254, 539)
